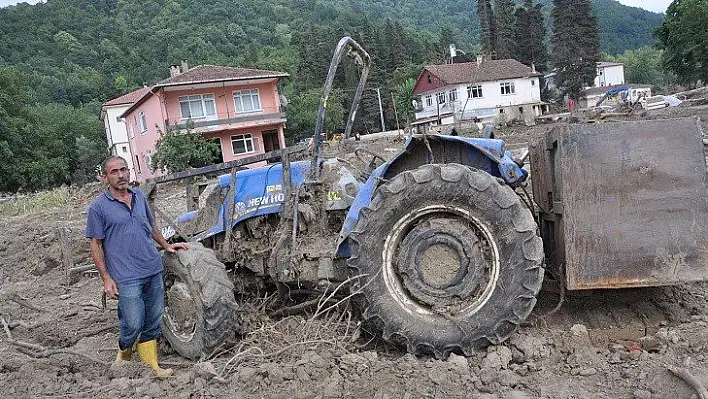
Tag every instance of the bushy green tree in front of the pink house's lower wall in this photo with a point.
(177, 151)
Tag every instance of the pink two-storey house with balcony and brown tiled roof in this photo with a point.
(238, 108)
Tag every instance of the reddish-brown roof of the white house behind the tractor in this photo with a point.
(485, 71)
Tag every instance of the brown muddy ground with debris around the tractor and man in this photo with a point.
(603, 344)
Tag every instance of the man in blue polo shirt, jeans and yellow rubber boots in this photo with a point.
(122, 229)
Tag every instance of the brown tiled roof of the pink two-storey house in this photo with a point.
(214, 73)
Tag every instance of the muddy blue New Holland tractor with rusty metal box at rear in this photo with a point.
(440, 246)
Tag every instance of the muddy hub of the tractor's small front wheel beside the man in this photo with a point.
(180, 309)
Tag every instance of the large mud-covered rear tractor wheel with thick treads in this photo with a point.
(447, 259)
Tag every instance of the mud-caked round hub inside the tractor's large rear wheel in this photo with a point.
(440, 257)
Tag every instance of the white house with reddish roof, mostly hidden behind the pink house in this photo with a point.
(116, 133)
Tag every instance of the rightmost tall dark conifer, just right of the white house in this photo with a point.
(576, 45)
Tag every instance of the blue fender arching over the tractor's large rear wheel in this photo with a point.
(487, 155)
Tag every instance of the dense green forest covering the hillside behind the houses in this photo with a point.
(61, 59)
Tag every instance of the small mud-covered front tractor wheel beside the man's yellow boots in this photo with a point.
(199, 302)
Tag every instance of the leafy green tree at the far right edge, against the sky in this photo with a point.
(684, 34)
